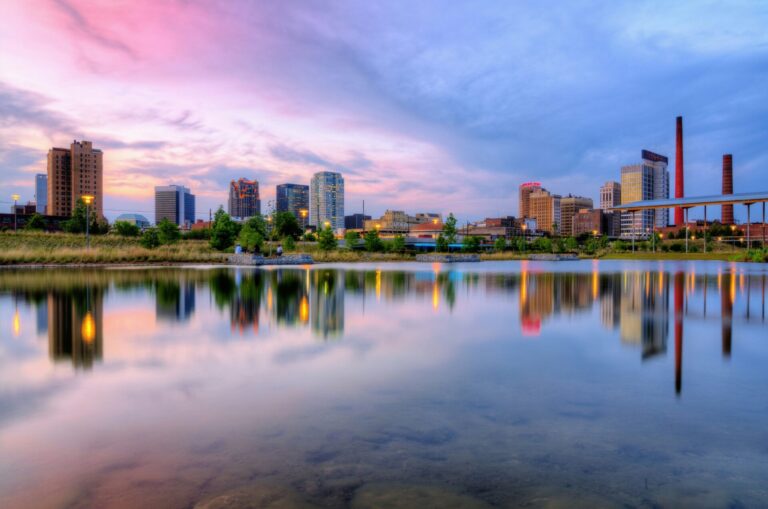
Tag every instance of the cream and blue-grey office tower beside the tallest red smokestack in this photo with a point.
(648, 180)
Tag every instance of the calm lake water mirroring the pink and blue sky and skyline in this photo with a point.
(496, 384)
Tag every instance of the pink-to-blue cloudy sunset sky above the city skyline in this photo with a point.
(423, 106)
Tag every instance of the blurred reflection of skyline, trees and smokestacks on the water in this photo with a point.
(638, 306)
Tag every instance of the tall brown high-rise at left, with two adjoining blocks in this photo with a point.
(73, 173)
